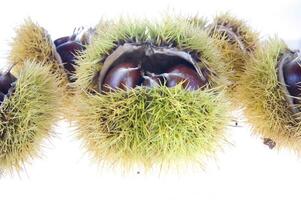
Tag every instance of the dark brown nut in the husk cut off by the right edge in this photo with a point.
(292, 77)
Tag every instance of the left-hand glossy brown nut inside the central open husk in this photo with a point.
(122, 76)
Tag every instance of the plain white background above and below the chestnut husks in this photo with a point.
(245, 170)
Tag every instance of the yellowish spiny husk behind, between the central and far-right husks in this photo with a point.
(233, 55)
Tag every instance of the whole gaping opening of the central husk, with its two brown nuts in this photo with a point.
(130, 66)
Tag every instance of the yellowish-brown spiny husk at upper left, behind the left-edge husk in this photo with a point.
(32, 42)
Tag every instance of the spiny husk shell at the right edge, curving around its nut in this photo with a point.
(264, 99)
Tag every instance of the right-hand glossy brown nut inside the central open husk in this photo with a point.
(185, 74)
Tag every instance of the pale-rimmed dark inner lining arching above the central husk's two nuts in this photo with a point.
(150, 59)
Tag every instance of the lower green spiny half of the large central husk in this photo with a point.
(148, 126)
